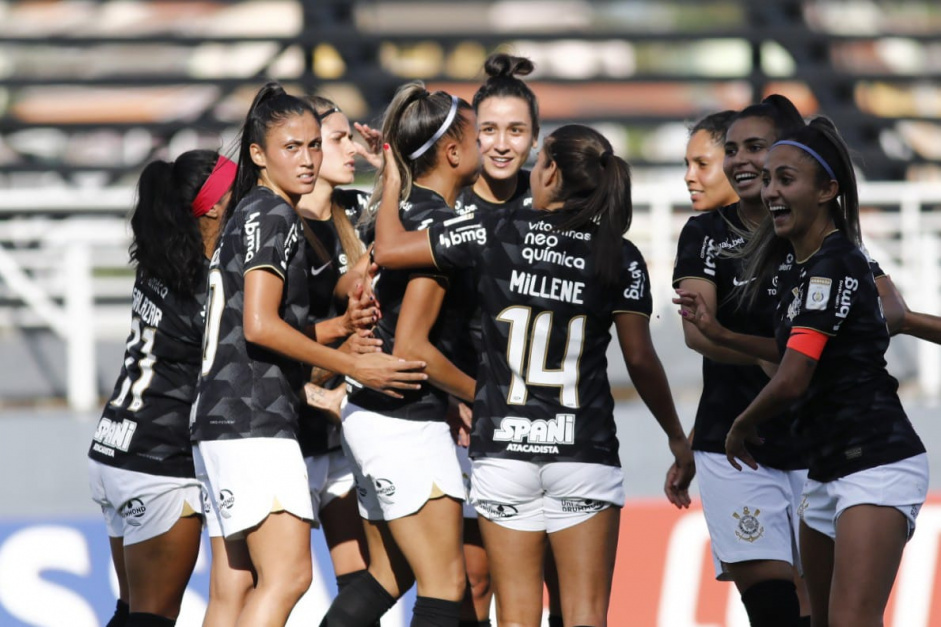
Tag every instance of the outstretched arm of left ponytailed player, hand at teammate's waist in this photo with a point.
(265, 327)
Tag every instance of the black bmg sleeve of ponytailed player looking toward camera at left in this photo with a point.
(270, 235)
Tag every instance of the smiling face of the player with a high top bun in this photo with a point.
(506, 136)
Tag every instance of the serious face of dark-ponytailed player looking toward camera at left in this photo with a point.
(291, 157)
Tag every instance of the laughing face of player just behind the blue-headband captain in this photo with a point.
(746, 145)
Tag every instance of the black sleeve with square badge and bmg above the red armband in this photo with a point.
(828, 294)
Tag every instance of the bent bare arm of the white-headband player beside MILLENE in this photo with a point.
(420, 308)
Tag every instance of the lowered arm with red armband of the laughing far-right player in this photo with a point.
(789, 383)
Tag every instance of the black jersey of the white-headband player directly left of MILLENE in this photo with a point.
(423, 208)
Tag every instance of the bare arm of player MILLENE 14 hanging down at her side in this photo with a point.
(650, 380)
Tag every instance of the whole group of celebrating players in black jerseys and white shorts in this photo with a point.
(421, 371)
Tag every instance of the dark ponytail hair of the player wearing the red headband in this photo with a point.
(167, 243)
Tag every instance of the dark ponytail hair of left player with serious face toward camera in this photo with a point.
(271, 106)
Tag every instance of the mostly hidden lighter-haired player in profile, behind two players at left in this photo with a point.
(337, 260)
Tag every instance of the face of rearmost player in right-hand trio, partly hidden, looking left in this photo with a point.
(705, 179)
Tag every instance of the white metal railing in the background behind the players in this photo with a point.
(63, 263)
